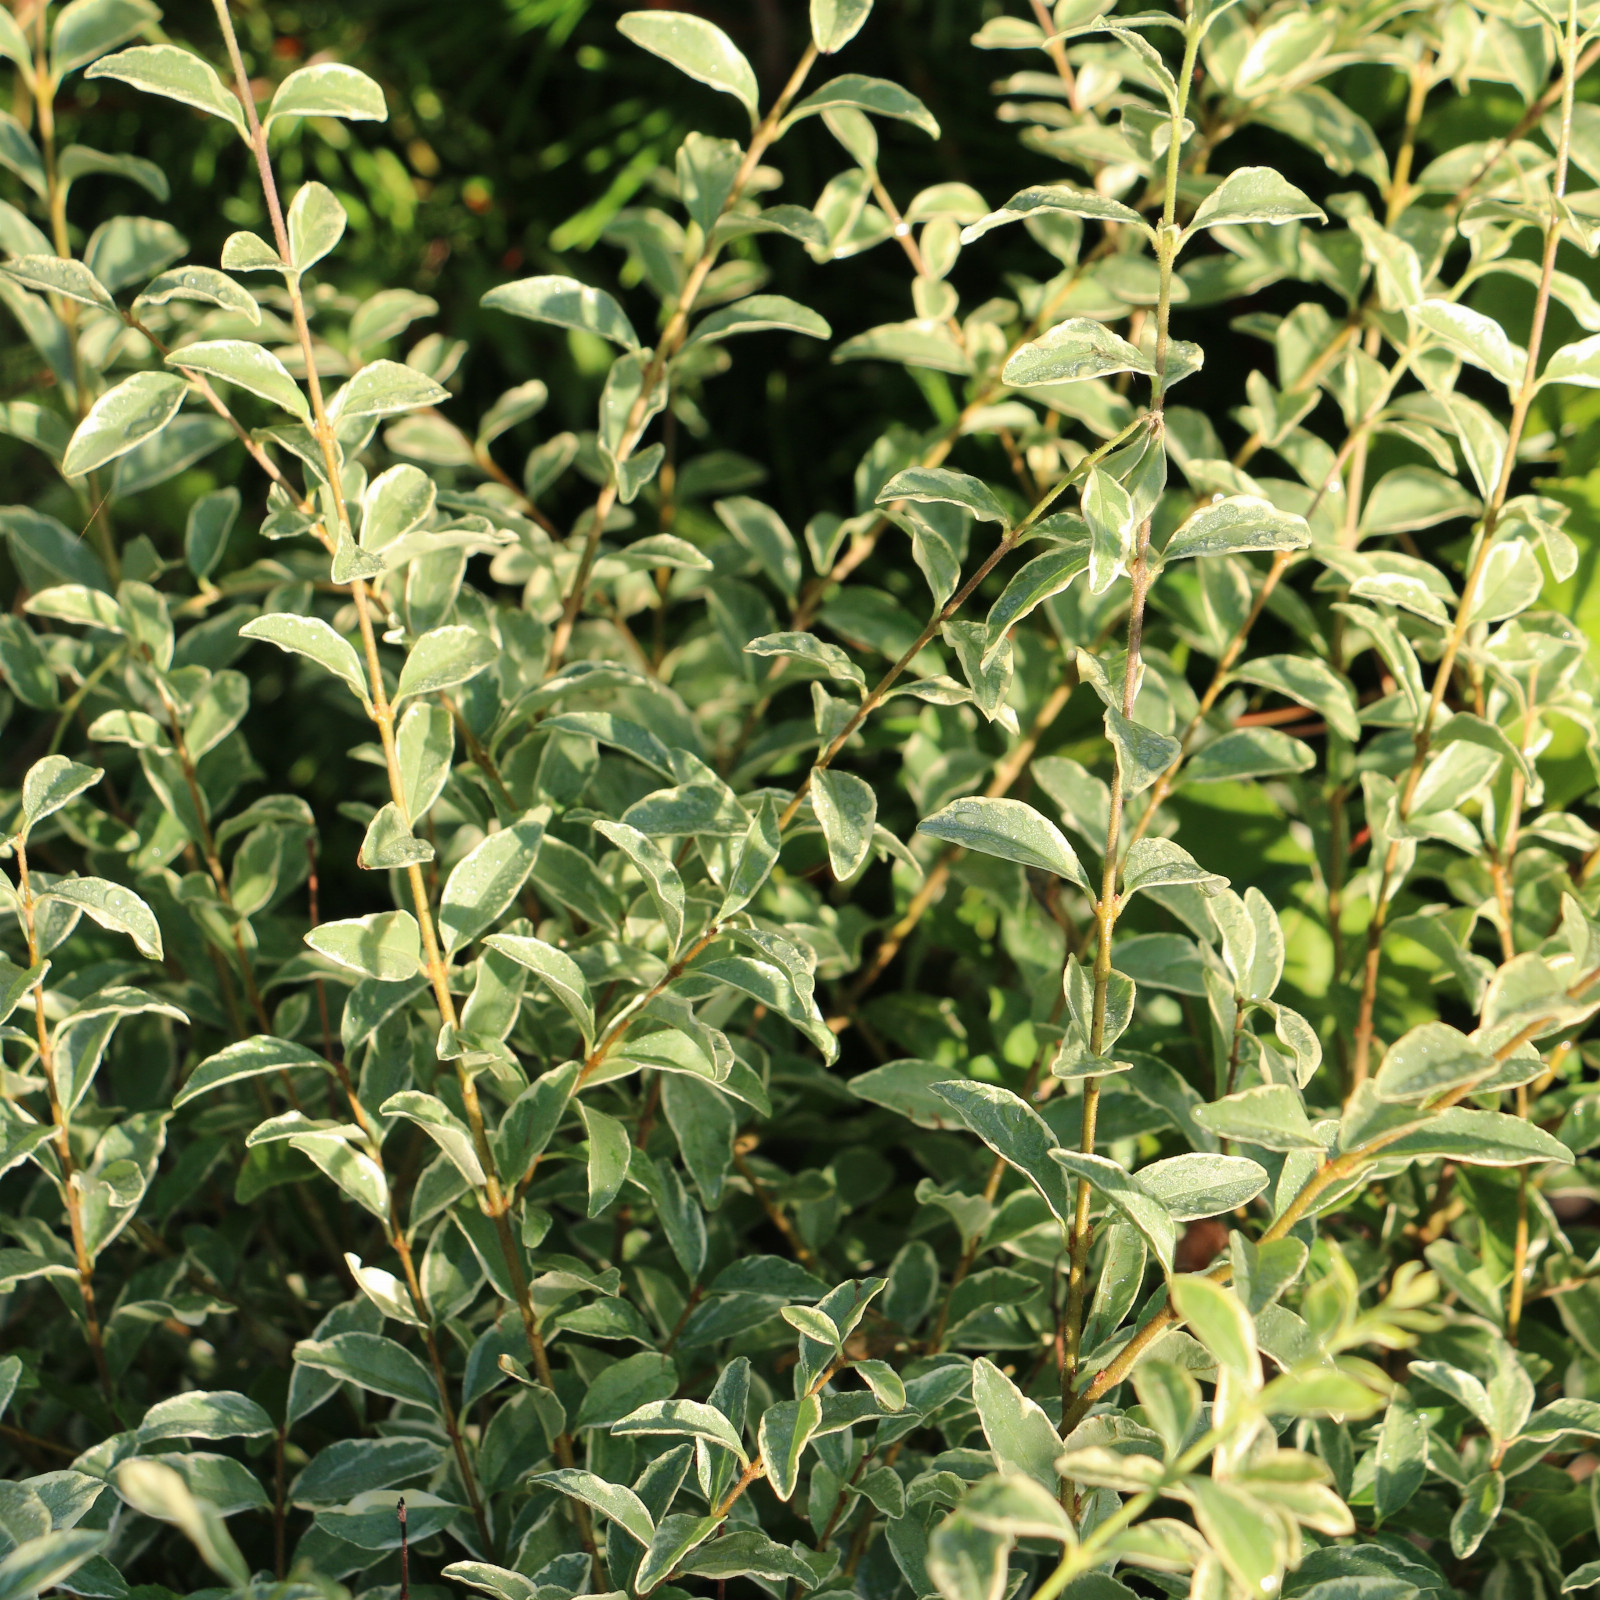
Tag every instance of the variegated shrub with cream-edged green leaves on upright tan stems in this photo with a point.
(538, 1196)
